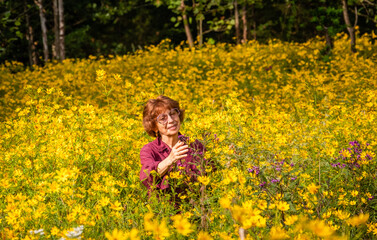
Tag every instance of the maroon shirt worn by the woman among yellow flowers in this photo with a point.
(155, 152)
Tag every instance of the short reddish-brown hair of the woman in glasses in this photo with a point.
(153, 108)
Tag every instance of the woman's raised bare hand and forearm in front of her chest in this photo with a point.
(179, 151)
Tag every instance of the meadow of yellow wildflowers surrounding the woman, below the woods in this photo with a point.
(292, 133)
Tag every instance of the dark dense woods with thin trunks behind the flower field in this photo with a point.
(35, 31)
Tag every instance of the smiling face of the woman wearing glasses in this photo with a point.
(168, 122)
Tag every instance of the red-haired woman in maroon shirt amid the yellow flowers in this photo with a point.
(162, 119)
